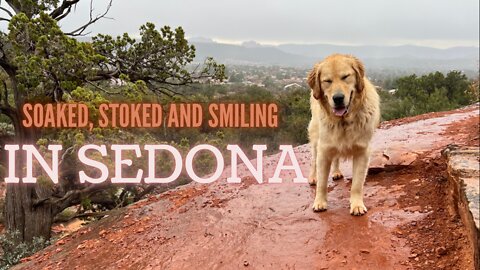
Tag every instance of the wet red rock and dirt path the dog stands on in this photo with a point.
(271, 226)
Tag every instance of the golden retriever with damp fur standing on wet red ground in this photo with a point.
(348, 136)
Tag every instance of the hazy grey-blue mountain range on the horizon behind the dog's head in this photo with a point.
(408, 57)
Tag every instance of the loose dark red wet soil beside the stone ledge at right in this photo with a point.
(438, 240)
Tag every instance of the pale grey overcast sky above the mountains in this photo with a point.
(438, 23)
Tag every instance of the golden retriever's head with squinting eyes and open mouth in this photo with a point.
(336, 80)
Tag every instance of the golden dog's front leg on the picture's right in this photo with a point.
(360, 166)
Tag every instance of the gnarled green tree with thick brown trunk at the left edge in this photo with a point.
(41, 62)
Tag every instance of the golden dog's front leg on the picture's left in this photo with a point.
(323, 170)
